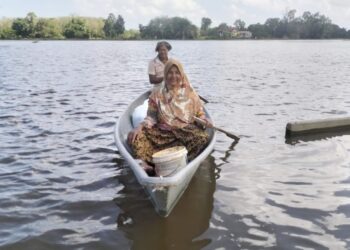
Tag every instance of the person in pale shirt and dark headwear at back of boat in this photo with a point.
(156, 65)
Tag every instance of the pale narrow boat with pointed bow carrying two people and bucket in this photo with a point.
(164, 192)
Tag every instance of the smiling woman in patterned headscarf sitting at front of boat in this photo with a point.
(170, 118)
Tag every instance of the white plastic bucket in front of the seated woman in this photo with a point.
(170, 160)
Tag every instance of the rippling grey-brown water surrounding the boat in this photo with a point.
(65, 186)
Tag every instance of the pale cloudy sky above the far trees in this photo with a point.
(137, 12)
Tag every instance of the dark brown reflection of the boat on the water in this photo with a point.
(189, 219)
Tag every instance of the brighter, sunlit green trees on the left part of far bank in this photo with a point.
(33, 27)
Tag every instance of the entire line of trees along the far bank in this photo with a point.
(306, 26)
